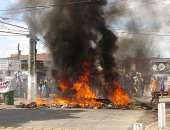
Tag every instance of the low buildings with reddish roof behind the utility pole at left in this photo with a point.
(17, 67)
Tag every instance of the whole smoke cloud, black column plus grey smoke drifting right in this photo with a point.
(76, 31)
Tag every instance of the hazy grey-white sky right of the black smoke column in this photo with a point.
(151, 16)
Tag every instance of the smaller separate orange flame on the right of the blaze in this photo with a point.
(118, 97)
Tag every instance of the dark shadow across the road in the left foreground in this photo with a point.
(17, 117)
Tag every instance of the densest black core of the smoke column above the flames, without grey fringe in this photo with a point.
(71, 32)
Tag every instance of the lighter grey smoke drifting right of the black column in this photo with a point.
(136, 39)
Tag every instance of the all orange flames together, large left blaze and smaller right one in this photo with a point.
(82, 94)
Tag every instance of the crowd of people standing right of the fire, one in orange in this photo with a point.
(137, 84)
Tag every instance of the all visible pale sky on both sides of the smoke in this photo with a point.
(8, 44)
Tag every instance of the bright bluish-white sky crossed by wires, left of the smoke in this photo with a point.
(8, 44)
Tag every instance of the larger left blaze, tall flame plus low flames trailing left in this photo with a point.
(83, 95)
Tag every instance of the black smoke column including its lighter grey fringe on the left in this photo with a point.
(75, 32)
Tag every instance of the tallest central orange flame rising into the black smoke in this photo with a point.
(84, 96)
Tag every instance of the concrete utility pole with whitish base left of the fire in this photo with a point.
(32, 77)
